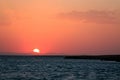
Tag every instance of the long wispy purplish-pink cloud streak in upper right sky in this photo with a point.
(94, 16)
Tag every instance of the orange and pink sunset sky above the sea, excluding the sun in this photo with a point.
(60, 27)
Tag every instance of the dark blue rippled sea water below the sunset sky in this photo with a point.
(57, 68)
